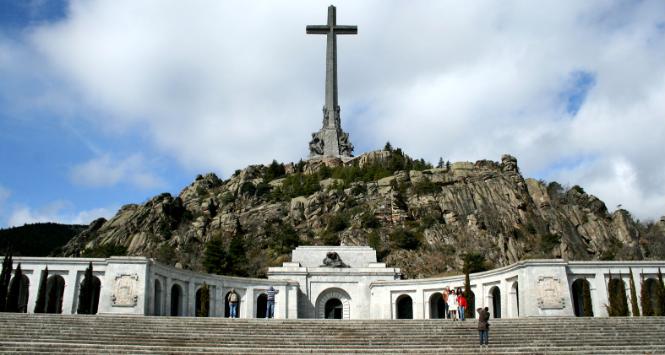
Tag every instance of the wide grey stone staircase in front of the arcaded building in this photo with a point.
(77, 334)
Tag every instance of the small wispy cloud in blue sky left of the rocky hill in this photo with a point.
(103, 171)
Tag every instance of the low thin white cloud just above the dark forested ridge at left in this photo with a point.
(58, 212)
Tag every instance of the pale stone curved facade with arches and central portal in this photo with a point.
(310, 288)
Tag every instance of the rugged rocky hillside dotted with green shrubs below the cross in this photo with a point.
(419, 218)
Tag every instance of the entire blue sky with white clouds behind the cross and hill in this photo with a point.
(104, 103)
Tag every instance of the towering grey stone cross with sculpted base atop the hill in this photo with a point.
(331, 140)
